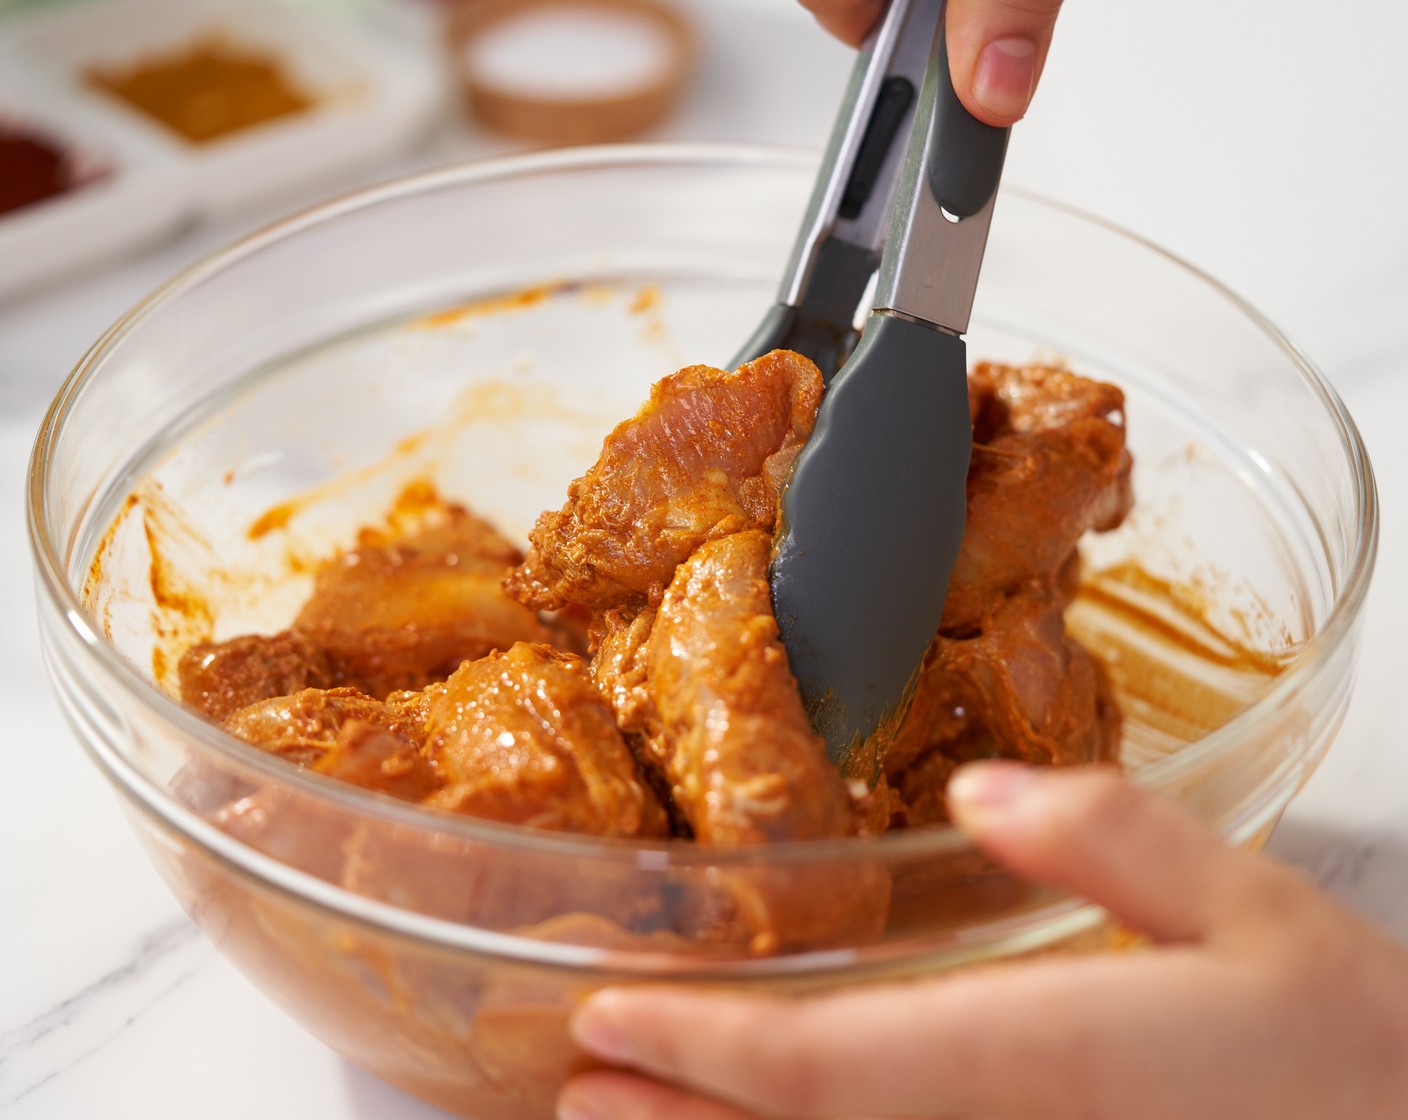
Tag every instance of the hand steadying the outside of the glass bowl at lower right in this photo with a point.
(1262, 998)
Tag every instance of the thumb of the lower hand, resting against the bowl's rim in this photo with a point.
(1145, 860)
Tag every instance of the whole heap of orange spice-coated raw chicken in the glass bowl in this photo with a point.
(423, 668)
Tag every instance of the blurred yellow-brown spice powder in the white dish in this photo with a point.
(206, 91)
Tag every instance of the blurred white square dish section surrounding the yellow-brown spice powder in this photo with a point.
(374, 97)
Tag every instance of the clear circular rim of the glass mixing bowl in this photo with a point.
(50, 556)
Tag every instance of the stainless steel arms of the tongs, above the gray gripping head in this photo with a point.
(906, 188)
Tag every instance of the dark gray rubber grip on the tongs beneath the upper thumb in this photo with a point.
(965, 156)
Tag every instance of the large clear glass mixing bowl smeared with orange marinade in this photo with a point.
(481, 329)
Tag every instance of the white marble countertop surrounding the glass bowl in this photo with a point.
(1261, 140)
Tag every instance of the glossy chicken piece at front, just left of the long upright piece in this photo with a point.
(524, 738)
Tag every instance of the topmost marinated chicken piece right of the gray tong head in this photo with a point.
(1050, 463)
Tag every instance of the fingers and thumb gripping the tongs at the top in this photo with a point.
(998, 49)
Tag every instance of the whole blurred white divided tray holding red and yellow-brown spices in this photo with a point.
(375, 97)
